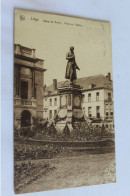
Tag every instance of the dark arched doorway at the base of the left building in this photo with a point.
(25, 118)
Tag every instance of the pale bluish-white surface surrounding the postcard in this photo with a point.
(118, 13)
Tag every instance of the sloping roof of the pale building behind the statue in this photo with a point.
(91, 82)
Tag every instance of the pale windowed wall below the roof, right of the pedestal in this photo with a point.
(98, 103)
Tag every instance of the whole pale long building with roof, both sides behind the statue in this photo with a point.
(97, 100)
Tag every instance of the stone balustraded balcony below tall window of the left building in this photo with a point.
(24, 102)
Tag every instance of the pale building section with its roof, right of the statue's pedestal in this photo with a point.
(98, 96)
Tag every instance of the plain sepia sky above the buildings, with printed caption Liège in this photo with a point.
(52, 36)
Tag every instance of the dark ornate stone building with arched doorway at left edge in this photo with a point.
(28, 85)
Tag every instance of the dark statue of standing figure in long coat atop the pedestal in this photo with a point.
(71, 65)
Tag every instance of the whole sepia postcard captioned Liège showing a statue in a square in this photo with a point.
(64, 134)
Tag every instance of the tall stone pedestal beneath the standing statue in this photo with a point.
(70, 112)
